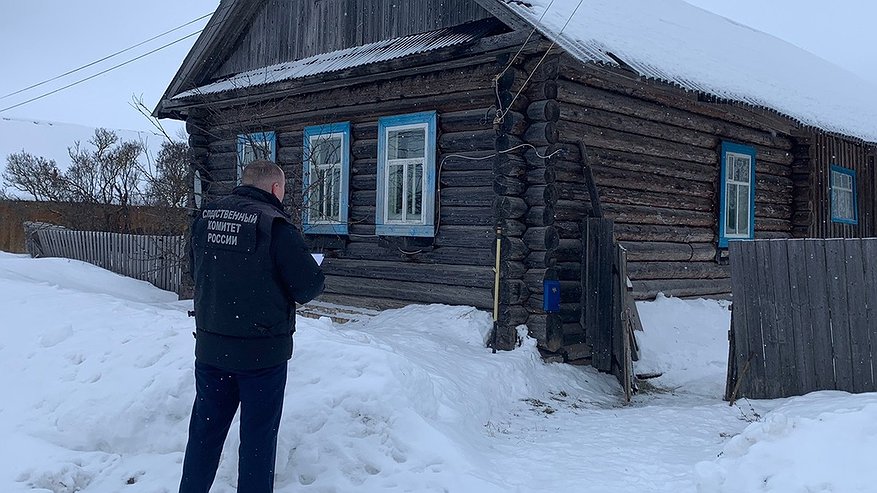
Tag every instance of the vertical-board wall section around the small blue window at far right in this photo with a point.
(818, 153)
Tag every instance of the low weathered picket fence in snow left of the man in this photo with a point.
(155, 259)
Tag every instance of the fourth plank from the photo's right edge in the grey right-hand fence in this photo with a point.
(817, 292)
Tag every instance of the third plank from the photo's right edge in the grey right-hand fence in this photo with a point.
(838, 307)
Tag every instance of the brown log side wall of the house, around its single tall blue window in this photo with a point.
(655, 154)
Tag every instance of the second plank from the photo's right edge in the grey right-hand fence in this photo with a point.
(860, 344)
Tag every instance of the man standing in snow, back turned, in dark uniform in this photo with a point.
(251, 267)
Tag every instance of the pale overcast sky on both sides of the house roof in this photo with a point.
(45, 38)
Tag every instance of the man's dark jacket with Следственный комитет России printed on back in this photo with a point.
(250, 266)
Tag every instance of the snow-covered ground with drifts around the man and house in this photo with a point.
(96, 371)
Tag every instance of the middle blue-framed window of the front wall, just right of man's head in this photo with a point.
(326, 178)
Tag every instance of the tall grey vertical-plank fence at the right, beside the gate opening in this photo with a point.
(803, 317)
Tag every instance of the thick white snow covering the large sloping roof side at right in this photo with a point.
(673, 41)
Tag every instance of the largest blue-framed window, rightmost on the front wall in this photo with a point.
(406, 175)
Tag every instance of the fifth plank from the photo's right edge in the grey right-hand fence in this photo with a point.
(799, 308)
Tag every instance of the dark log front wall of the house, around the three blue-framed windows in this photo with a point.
(454, 267)
